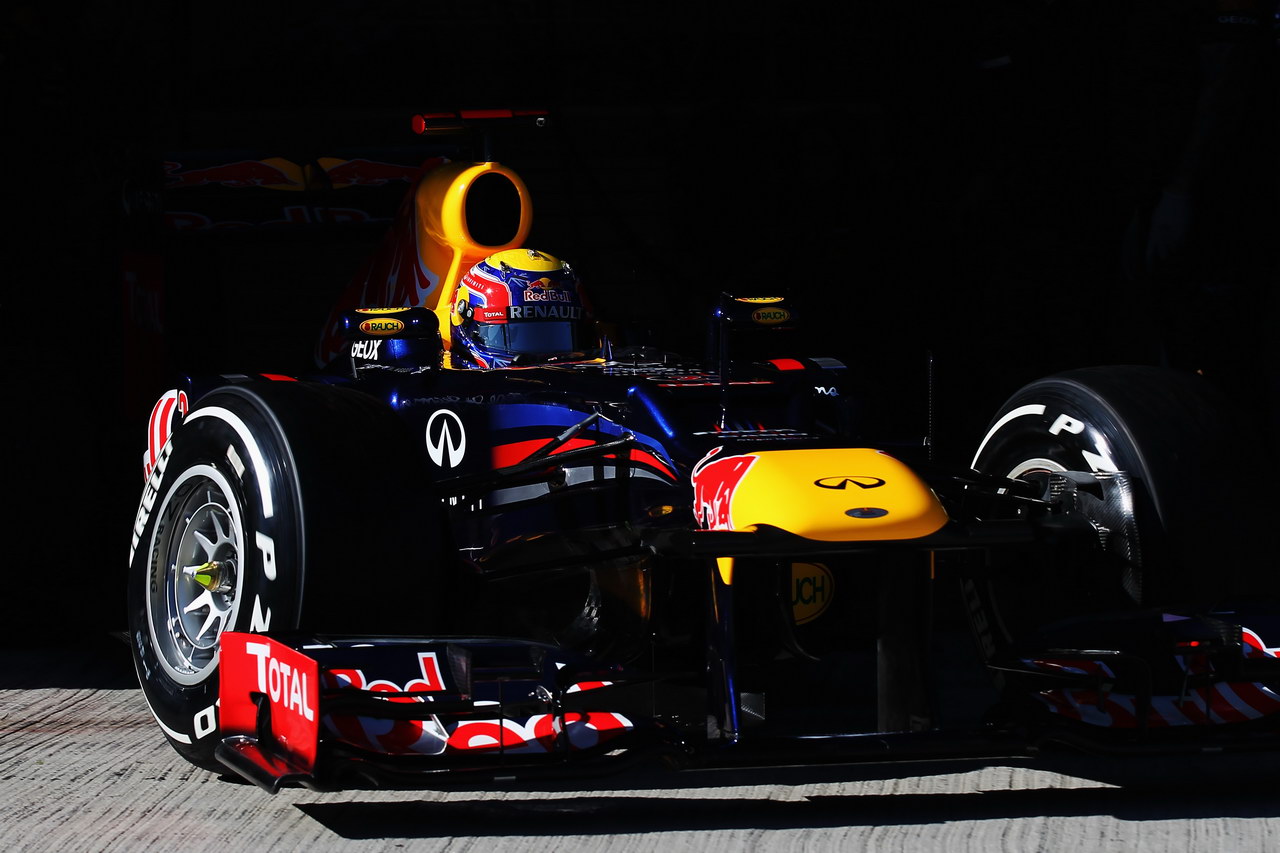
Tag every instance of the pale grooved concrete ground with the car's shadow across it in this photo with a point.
(83, 768)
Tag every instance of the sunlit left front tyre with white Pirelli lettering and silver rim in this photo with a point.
(275, 507)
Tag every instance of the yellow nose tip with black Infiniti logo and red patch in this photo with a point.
(840, 495)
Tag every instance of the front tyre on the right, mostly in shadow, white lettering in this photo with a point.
(1190, 490)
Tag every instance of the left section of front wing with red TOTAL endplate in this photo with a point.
(299, 711)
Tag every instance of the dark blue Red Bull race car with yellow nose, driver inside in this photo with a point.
(486, 542)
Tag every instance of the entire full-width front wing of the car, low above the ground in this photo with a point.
(358, 713)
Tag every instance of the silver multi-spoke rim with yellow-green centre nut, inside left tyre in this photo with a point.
(196, 578)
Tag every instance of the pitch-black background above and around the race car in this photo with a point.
(979, 183)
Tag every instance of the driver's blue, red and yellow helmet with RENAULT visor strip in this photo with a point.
(520, 307)
